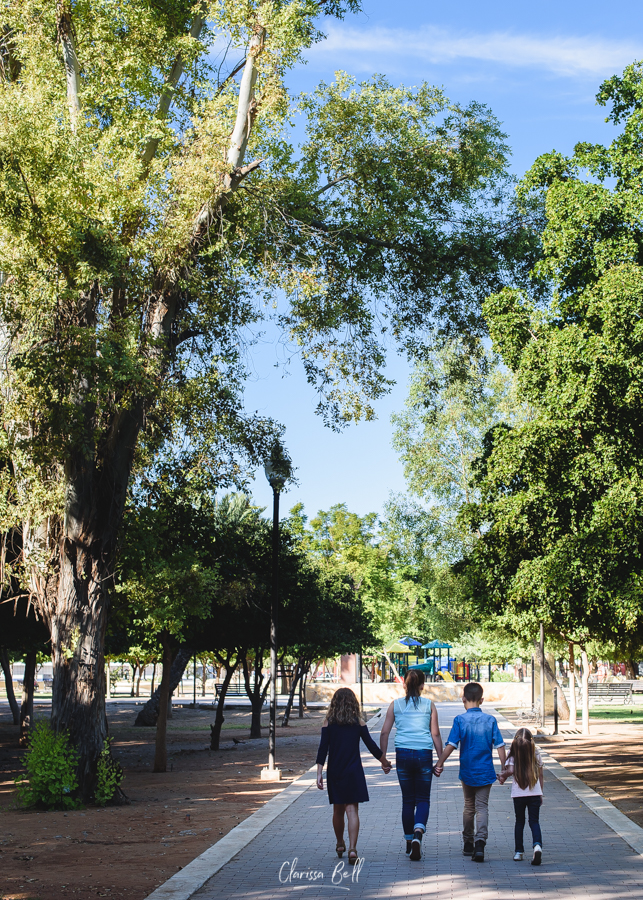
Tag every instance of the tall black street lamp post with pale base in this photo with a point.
(278, 469)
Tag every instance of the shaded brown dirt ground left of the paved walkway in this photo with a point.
(126, 851)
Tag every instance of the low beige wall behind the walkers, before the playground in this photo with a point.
(496, 693)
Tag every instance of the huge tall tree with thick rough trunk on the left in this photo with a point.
(149, 203)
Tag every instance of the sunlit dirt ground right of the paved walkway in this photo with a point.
(609, 760)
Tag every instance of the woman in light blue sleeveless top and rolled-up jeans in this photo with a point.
(417, 735)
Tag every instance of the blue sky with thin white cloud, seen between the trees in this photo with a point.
(538, 67)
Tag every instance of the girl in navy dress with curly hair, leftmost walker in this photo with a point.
(342, 730)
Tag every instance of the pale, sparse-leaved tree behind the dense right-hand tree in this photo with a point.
(455, 396)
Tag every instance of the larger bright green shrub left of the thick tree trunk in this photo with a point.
(50, 779)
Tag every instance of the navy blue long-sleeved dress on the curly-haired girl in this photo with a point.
(345, 779)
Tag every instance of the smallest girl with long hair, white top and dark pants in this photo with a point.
(525, 764)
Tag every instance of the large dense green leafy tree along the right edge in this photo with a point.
(560, 495)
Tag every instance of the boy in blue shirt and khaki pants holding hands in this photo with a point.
(477, 734)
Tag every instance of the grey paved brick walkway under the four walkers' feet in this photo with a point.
(583, 859)
